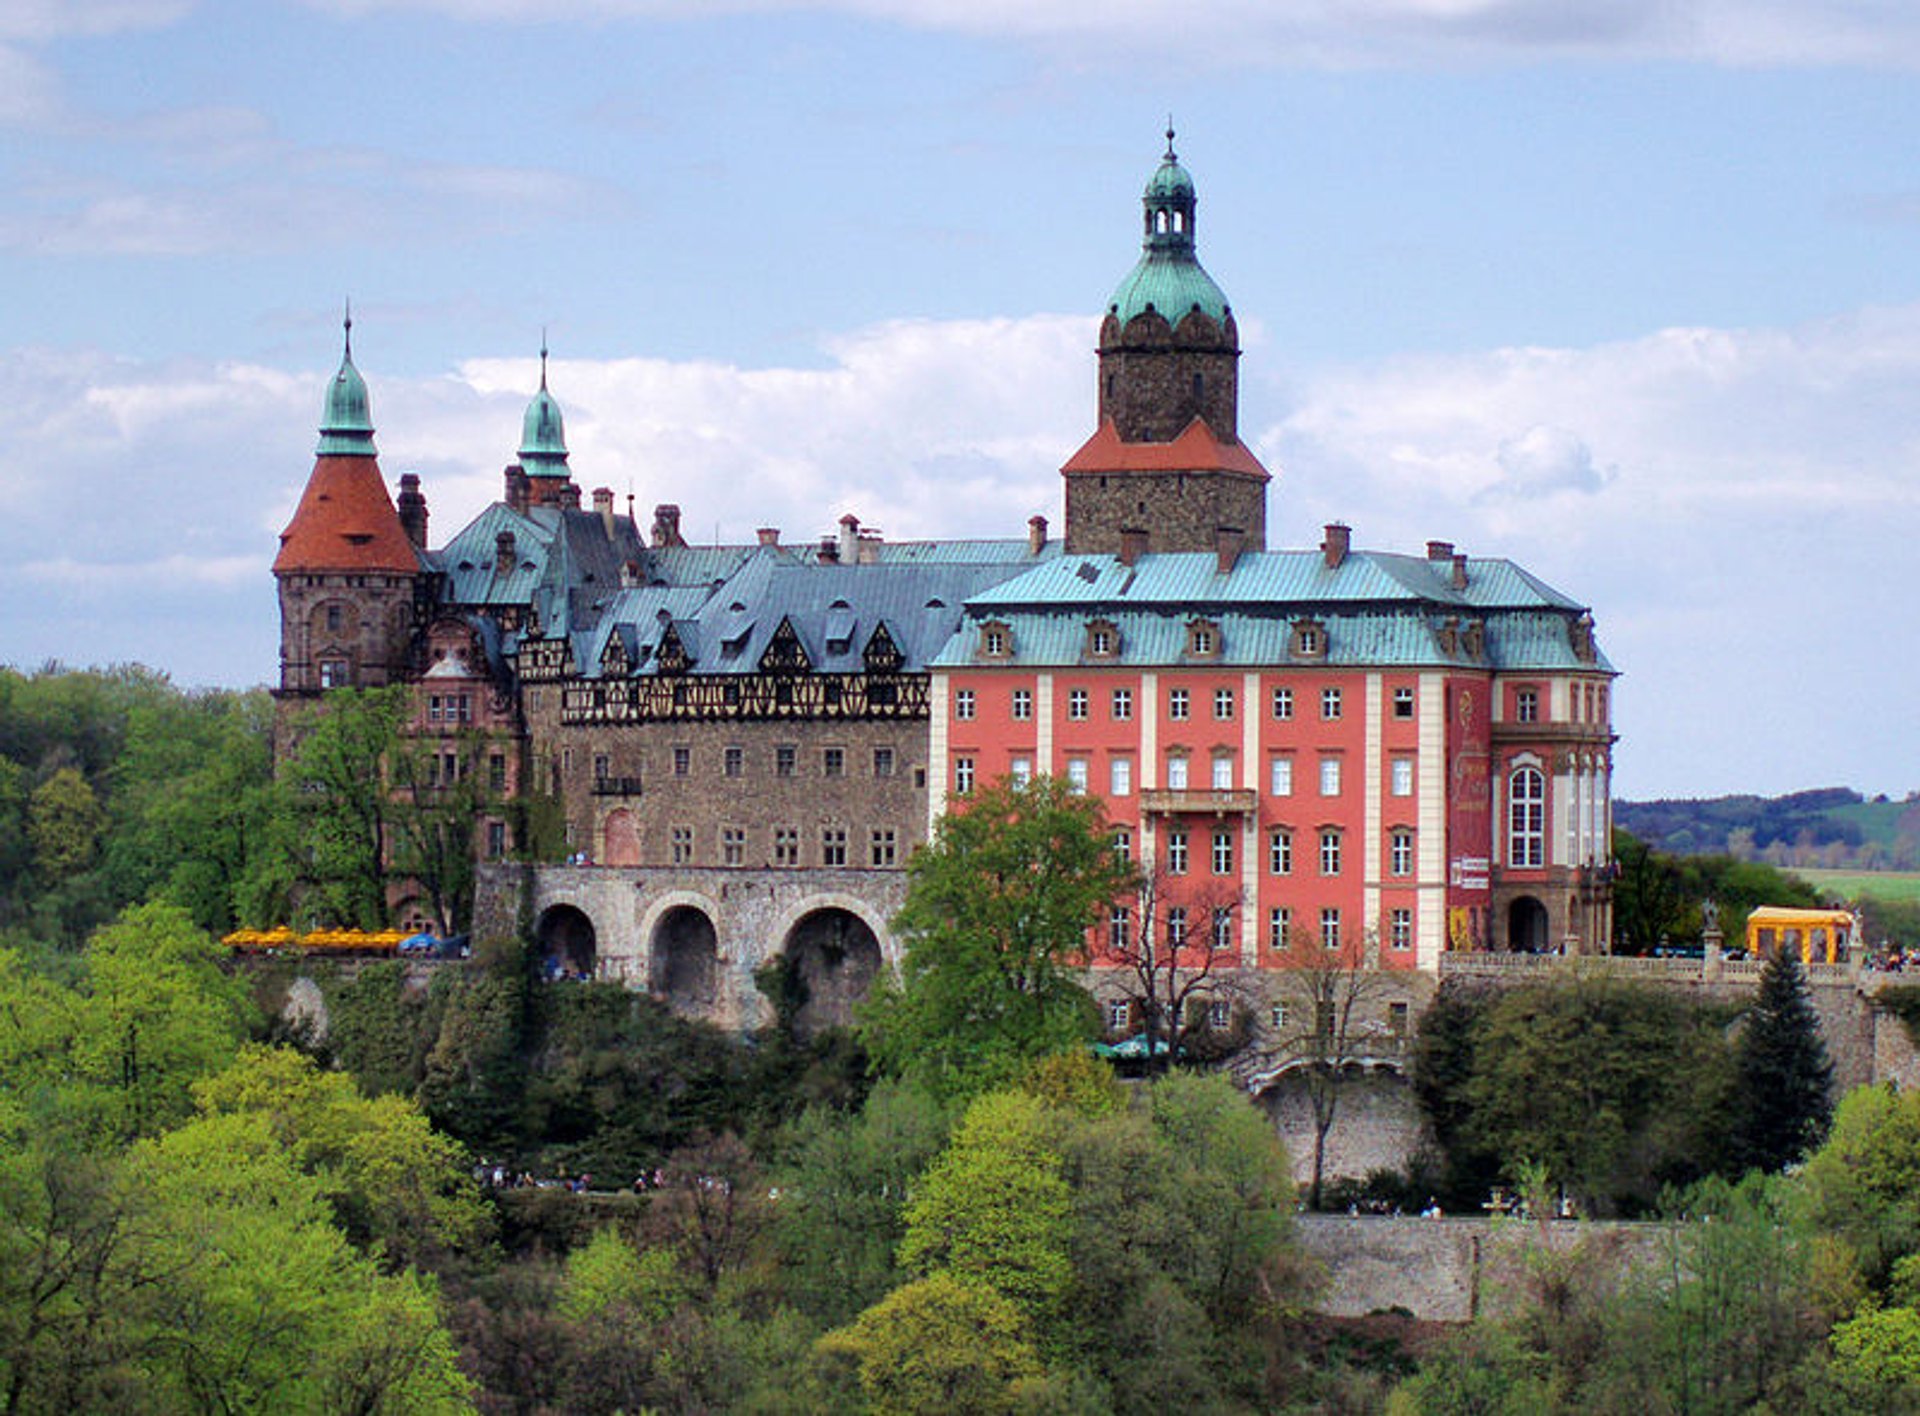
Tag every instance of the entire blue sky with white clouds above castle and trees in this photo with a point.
(1623, 291)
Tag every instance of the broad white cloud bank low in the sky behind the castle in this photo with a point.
(1737, 506)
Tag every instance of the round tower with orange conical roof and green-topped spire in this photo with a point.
(350, 565)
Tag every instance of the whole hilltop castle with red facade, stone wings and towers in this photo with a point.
(752, 740)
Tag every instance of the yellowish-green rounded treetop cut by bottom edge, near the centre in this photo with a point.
(944, 1344)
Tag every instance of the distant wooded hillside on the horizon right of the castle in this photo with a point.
(1831, 828)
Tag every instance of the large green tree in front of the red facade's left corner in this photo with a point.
(997, 905)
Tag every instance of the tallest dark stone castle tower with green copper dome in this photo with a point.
(1166, 469)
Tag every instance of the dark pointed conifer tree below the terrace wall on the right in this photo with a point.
(1785, 1074)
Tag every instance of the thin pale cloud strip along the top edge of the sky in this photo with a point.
(1337, 34)
